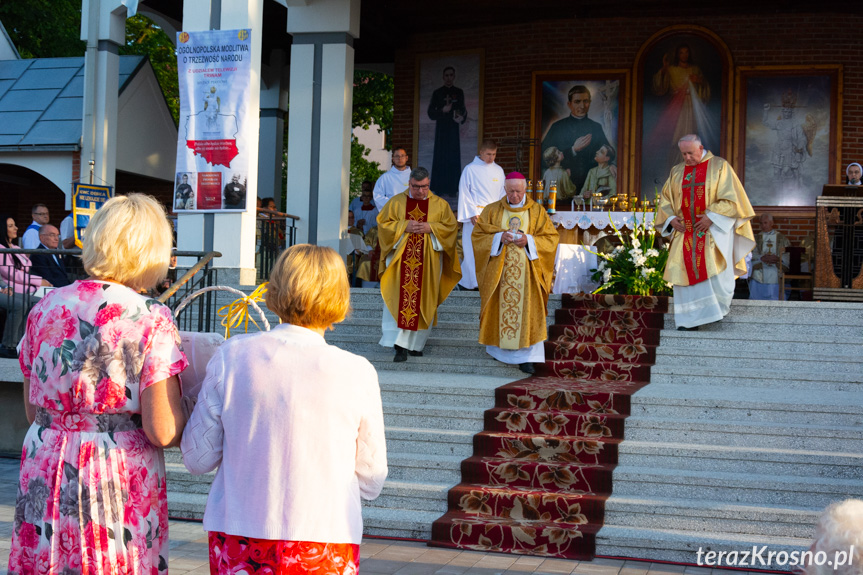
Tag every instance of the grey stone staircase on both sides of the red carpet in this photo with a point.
(749, 428)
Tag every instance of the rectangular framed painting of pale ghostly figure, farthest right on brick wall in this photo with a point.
(788, 132)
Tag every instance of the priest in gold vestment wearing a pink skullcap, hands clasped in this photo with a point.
(514, 243)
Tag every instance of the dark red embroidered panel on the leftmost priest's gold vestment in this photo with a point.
(411, 276)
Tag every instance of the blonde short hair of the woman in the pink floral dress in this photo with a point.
(129, 240)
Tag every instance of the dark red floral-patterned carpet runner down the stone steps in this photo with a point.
(542, 468)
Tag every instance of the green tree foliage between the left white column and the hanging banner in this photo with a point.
(144, 38)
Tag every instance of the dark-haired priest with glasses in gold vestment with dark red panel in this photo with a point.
(419, 266)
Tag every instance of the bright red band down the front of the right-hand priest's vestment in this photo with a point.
(694, 204)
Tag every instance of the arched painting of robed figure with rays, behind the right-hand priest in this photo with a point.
(683, 76)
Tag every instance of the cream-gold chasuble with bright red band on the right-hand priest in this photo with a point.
(689, 191)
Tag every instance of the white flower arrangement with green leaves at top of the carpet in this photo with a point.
(635, 267)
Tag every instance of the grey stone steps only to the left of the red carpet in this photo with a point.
(433, 407)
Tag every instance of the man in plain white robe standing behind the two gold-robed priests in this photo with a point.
(481, 184)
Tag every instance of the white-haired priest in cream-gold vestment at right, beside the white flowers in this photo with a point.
(705, 208)
